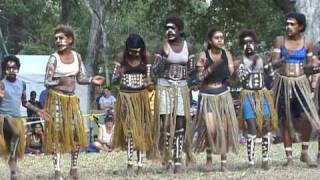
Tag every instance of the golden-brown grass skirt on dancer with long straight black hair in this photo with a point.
(133, 115)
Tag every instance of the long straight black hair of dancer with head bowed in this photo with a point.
(135, 41)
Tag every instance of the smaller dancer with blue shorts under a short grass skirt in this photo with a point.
(257, 106)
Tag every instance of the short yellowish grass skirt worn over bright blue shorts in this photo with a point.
(256, 98)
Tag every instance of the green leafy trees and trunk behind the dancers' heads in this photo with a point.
(103, 25)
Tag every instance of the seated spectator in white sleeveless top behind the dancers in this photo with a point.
(105, 137)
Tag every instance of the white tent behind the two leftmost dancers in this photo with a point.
(32, 71)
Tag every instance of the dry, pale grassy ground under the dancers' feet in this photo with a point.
(102, 166)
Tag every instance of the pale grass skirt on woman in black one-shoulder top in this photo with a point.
(217, 125)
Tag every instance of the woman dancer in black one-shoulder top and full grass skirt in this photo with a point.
(217, 125)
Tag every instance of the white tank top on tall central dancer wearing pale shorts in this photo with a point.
(180, 57)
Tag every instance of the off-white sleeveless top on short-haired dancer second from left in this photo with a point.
(64, 70)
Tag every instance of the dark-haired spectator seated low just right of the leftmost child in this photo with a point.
(34, 142)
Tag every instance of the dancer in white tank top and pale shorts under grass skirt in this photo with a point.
(174, 61)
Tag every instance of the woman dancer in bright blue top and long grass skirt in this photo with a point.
(296, 109)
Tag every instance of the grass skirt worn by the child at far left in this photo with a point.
(18, 128)
